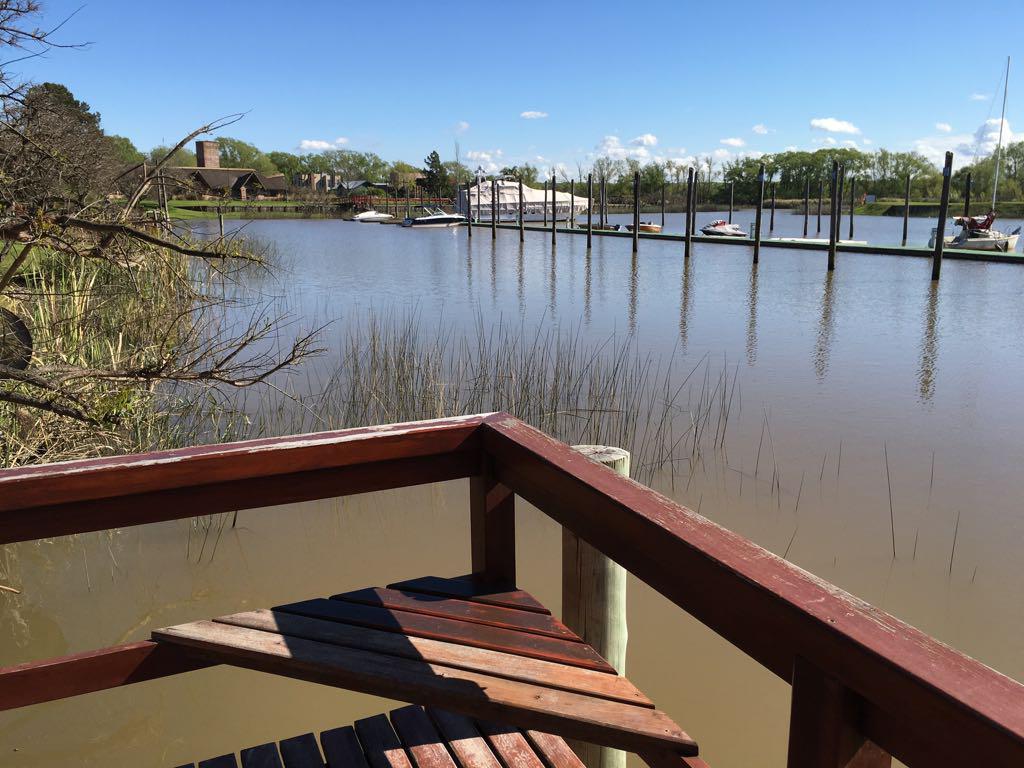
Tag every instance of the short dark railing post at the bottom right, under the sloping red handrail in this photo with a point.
(824, 724)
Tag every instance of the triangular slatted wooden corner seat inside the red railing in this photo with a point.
(497, 655)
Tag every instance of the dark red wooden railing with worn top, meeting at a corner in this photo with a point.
(865, 685)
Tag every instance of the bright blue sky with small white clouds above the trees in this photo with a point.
(652, 80)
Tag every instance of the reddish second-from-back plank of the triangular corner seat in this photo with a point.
(463, 611)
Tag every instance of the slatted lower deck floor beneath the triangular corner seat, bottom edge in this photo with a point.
(413, 737)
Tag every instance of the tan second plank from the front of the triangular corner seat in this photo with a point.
(548, 674)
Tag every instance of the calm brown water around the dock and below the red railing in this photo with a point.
(835, 374)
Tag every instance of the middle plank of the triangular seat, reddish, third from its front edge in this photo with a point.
(451, 631)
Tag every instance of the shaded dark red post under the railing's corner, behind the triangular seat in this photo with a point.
(492, 509)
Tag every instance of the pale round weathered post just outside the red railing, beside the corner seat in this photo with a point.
(594, 602)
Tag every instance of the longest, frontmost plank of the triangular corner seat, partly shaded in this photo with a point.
(588, 718)
